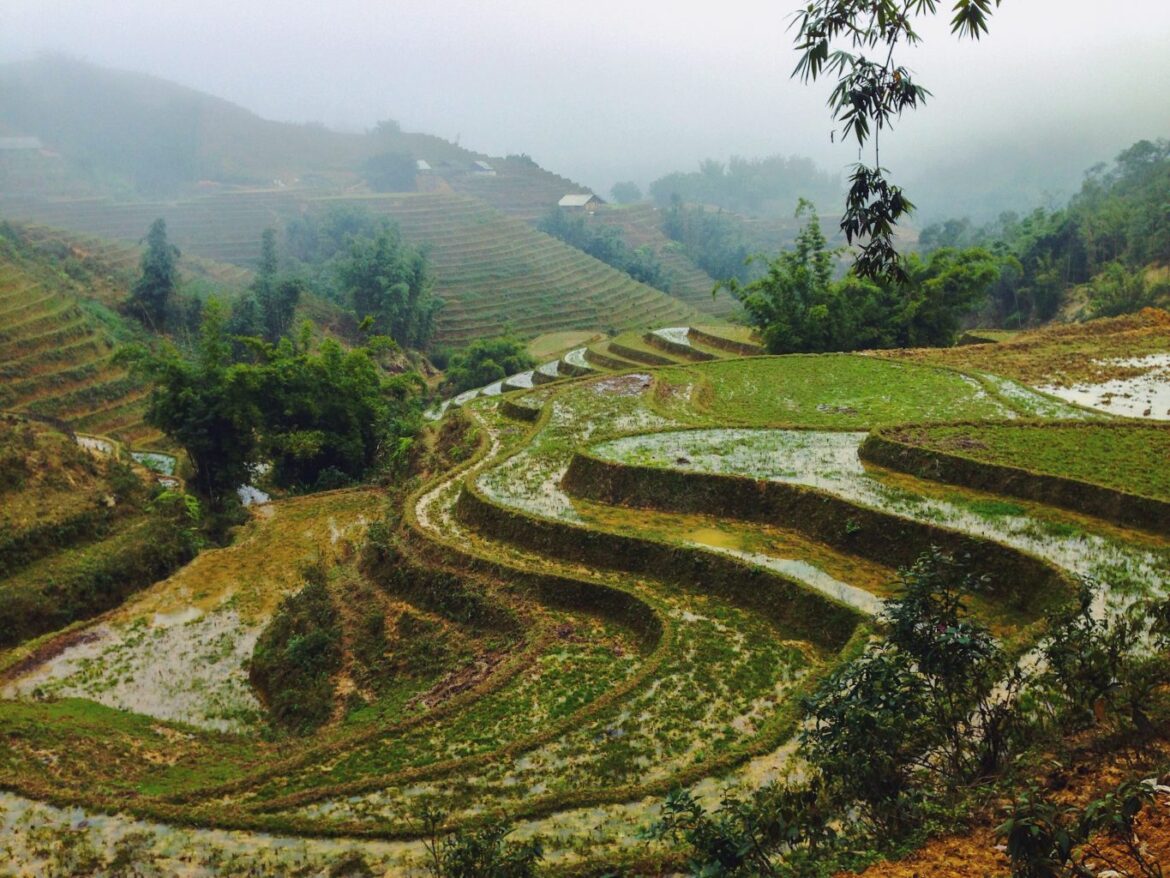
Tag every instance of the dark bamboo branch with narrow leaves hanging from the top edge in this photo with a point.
(844, 38)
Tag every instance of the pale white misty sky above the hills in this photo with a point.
(607, 91)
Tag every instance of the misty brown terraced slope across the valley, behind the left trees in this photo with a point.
(492, 270)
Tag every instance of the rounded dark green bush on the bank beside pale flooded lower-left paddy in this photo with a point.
(297, 655)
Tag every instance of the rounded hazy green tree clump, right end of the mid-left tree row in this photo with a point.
(386, 280)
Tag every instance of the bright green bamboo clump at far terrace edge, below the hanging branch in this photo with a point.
(799, 306)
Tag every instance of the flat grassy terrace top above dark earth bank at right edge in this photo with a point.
(1125, 457)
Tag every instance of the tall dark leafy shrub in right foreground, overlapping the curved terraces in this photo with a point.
(933, 705)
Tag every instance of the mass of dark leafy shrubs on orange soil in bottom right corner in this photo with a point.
(904, 732)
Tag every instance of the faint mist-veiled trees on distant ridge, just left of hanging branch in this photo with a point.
(763, 186)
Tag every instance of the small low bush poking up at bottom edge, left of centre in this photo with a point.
(481, 853)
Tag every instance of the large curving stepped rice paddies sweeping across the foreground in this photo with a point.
(622, 592)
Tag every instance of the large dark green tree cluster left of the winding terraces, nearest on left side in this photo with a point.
(321, 417)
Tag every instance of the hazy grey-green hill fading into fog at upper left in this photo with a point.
(128, 134)
